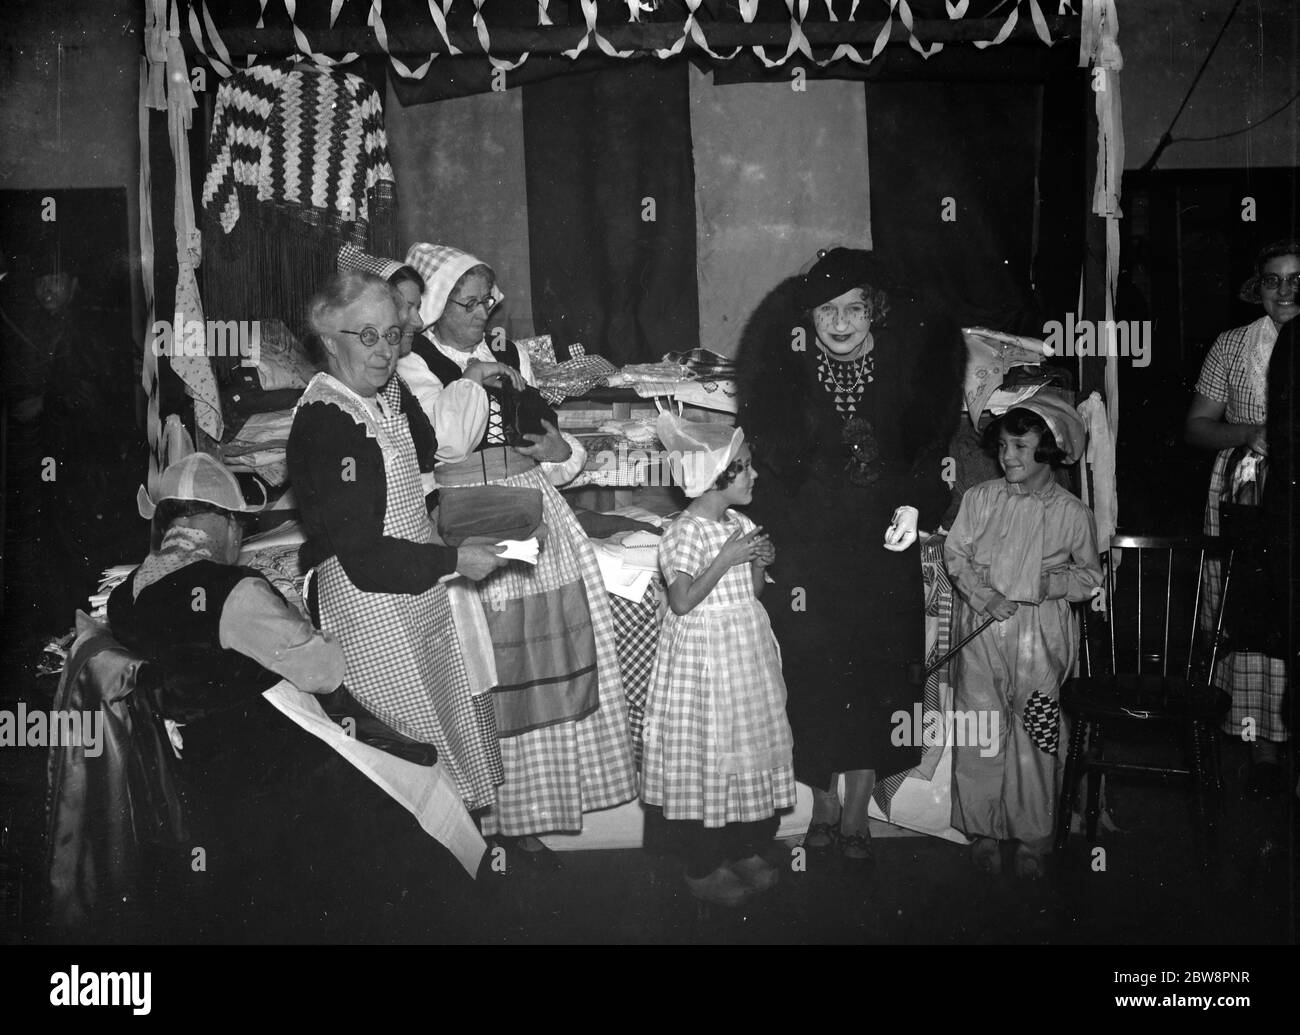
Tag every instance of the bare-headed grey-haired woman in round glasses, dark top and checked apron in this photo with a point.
(356, 453)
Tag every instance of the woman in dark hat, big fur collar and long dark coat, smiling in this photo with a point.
(850, 388)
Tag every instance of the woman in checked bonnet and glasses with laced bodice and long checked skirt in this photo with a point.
(561, 713)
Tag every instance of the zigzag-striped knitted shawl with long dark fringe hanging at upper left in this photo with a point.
(298, 167)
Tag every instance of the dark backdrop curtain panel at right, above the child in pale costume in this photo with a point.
(980, 145)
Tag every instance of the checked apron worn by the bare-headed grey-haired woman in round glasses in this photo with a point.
(404, 653)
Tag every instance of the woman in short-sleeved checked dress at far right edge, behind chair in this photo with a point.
(1228, 415)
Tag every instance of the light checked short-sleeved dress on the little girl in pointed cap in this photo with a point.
(718, 747)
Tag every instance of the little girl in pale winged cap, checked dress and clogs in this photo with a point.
(717, 740)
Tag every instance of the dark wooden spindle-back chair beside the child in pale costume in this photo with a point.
(1147, 685)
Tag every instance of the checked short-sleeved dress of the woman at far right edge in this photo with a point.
(1236, 374)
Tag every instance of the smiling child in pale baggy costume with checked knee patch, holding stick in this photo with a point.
(1021, 551)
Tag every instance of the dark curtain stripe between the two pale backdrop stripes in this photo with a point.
(599, 149)
